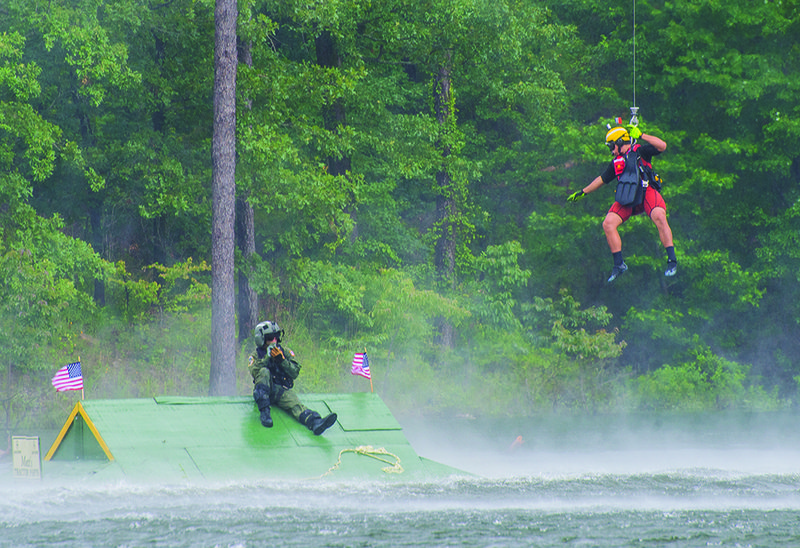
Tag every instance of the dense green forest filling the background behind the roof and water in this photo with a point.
(402, 174)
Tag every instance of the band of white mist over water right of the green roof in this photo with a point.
(744, 443)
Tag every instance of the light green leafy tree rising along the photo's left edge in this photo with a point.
(46, 277)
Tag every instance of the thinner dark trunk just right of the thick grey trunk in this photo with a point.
(245, 220)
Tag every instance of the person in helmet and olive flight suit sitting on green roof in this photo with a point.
(273, 374)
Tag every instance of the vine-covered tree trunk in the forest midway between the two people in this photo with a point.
(445, 254)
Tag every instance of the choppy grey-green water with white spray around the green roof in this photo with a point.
(569, 484)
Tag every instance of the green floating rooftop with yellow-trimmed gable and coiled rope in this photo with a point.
(172, 439)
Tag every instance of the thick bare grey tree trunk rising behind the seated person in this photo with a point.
(222, 379)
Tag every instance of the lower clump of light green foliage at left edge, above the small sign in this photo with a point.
(43, 309)
